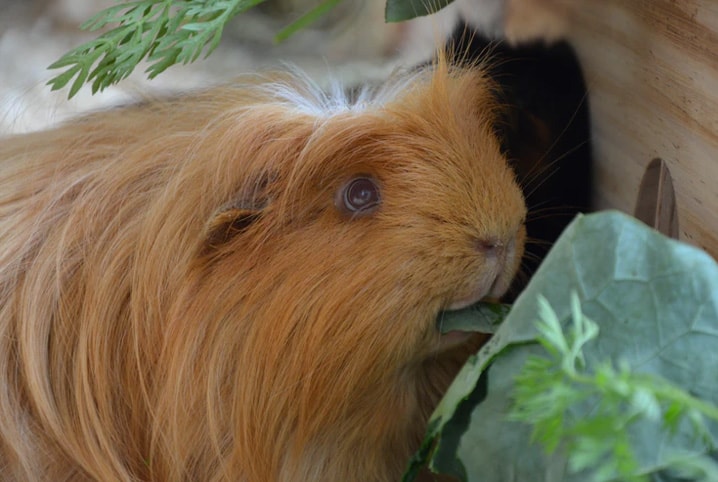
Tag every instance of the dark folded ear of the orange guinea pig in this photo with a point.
(237, 216)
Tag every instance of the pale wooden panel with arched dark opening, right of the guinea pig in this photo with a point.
(652, 72)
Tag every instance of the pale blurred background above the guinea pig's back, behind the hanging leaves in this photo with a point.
(352, 43)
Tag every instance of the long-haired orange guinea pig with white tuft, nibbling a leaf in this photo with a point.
(243, 284)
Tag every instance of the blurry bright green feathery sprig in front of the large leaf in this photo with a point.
(550, 389)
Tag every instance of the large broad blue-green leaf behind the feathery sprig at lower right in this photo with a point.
(655, 302)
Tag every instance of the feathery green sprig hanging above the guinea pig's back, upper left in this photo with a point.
(165, 32)
